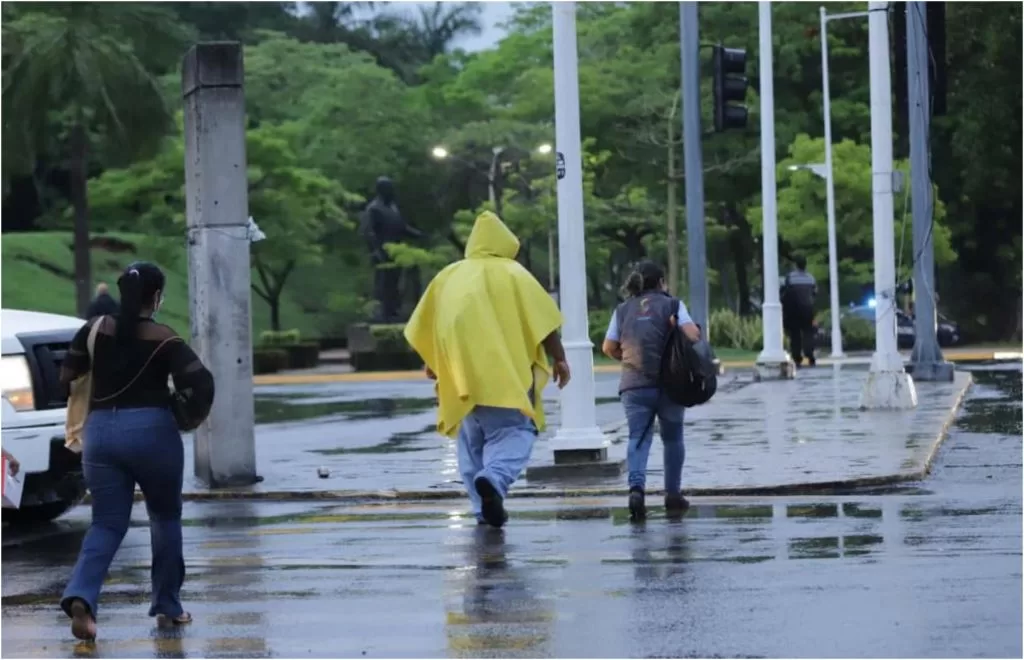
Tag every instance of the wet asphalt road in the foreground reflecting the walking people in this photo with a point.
(930, 570)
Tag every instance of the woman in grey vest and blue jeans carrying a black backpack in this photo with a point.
(636, 338)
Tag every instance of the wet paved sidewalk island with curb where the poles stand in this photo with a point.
(378, 441)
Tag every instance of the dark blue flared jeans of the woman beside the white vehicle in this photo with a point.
(124, 448)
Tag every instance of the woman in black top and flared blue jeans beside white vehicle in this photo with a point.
(132, 437)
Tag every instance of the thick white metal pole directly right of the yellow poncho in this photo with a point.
(579, 438)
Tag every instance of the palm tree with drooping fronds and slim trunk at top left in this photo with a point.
(88, 63)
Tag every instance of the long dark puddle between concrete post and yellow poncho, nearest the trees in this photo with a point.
(279, 409)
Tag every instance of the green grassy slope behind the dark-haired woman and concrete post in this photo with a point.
(38, 270)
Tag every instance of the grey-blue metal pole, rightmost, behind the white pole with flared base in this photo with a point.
(927, 363)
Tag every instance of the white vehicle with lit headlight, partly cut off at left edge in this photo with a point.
(34, 345)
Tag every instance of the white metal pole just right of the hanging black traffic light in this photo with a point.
(774, 363)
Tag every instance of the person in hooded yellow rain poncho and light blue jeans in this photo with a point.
(485, 329)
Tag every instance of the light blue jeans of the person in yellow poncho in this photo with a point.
(494, 444)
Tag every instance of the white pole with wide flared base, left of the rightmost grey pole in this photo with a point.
(888, 386)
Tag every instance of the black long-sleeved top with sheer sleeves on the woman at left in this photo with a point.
(115, 368)
